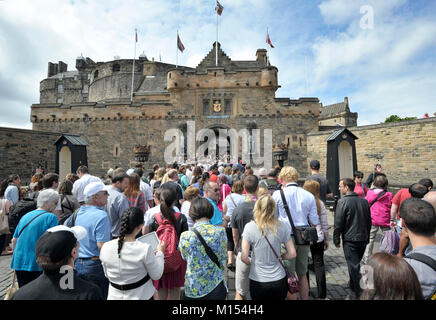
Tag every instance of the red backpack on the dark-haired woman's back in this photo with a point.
(167, 233)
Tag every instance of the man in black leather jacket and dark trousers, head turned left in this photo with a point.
(353, 225)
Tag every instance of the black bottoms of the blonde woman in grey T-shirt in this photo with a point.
(271, 291)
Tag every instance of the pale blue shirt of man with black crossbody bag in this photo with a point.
(301, 204)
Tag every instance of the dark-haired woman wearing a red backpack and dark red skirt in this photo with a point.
(169, 225)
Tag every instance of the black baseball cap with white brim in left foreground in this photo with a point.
(57, 242)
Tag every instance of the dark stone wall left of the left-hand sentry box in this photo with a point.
(21, 150)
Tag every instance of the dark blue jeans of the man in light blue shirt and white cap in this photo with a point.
(92, 271)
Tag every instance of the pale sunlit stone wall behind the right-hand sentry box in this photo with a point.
(406, 150)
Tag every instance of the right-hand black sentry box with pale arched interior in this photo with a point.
(341, 157)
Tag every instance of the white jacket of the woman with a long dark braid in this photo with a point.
(137, 260)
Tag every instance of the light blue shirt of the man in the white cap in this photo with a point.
(98, 228)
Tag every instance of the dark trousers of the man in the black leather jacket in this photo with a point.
(353, 252)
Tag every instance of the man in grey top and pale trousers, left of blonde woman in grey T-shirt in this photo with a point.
(242, 215)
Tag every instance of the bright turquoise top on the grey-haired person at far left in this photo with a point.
(24, 258)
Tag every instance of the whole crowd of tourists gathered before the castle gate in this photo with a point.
(211, 218)
